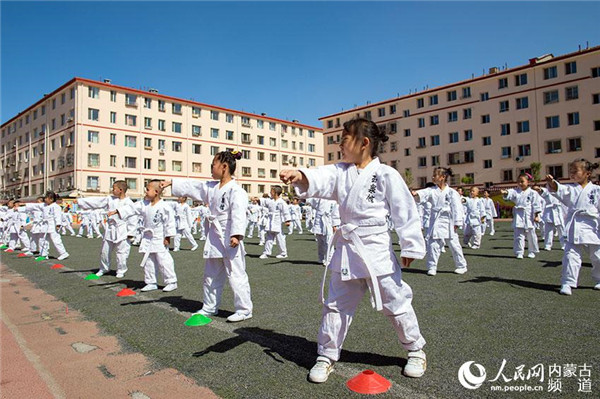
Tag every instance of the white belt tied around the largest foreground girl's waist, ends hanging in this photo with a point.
(349, 232)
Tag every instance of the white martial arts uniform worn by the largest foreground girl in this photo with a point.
(363, 258)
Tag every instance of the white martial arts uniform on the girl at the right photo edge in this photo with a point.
(582, 230)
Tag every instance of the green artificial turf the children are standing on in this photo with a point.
(502, 309)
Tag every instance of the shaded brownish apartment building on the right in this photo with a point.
(489, 129)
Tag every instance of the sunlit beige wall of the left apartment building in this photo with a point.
(101, 154)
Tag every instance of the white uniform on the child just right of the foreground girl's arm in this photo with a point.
(446, 216)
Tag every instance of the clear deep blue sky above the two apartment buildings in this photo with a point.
(300, 60)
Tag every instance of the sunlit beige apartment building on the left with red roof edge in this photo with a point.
(86, 134)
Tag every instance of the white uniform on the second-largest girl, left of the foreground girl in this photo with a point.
(227, 218)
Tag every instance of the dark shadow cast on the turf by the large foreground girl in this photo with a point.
(294, 349)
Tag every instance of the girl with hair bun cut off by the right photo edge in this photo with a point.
(582, 230)
